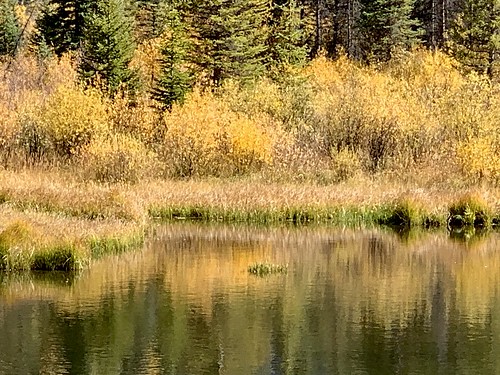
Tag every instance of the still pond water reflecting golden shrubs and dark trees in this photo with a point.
(352, 302)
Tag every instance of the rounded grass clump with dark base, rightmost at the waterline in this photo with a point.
(470, 210)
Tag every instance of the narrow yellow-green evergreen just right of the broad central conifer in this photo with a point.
(286, 42)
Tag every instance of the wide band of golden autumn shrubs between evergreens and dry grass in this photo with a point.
(416, 117)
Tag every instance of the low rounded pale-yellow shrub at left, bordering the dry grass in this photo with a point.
(118, 158)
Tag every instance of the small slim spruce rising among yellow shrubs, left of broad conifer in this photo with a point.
(175, 81)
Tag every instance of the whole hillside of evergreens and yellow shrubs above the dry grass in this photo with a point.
(323, 89)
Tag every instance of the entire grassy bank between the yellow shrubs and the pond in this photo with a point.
(52, 221)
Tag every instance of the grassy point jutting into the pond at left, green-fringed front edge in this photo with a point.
(42, 241)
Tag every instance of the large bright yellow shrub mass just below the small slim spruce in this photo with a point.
(205, 137)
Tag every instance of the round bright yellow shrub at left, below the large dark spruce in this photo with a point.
(72, 118)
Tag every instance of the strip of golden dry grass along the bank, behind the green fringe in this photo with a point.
(65, 194)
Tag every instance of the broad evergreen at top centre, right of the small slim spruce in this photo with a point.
(230, 38)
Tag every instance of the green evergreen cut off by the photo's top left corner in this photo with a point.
(9, 27)
